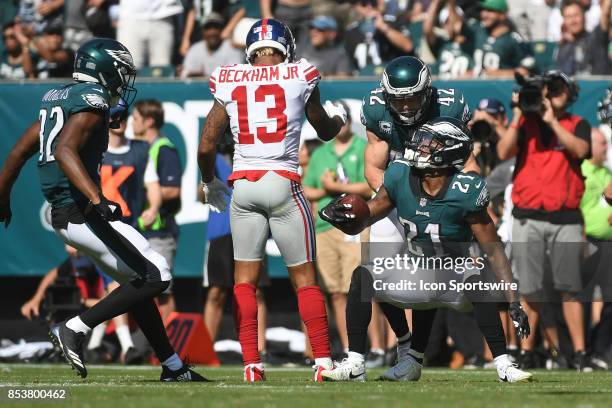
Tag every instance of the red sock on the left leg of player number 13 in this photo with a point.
(245, 315)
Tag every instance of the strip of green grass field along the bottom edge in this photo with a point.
(120, 387)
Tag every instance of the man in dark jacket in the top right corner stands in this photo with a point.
(581, 52)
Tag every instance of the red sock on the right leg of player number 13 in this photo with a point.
(312, 311)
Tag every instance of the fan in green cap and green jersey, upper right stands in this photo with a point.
(498, 51)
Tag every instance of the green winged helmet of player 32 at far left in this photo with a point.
(109, 63)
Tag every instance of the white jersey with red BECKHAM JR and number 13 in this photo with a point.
(265, 105)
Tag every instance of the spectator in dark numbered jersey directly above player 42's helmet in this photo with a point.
(376, 38)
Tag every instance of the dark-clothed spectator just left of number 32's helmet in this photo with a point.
(55, 61)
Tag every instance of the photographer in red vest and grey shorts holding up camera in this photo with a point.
(550, 144)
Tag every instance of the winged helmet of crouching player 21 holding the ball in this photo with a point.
(440, 143)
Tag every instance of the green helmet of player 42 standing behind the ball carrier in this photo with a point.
(406, 84)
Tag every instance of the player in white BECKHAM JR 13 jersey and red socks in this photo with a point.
(263, 102)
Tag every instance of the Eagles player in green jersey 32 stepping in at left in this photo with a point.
(70, 137)
